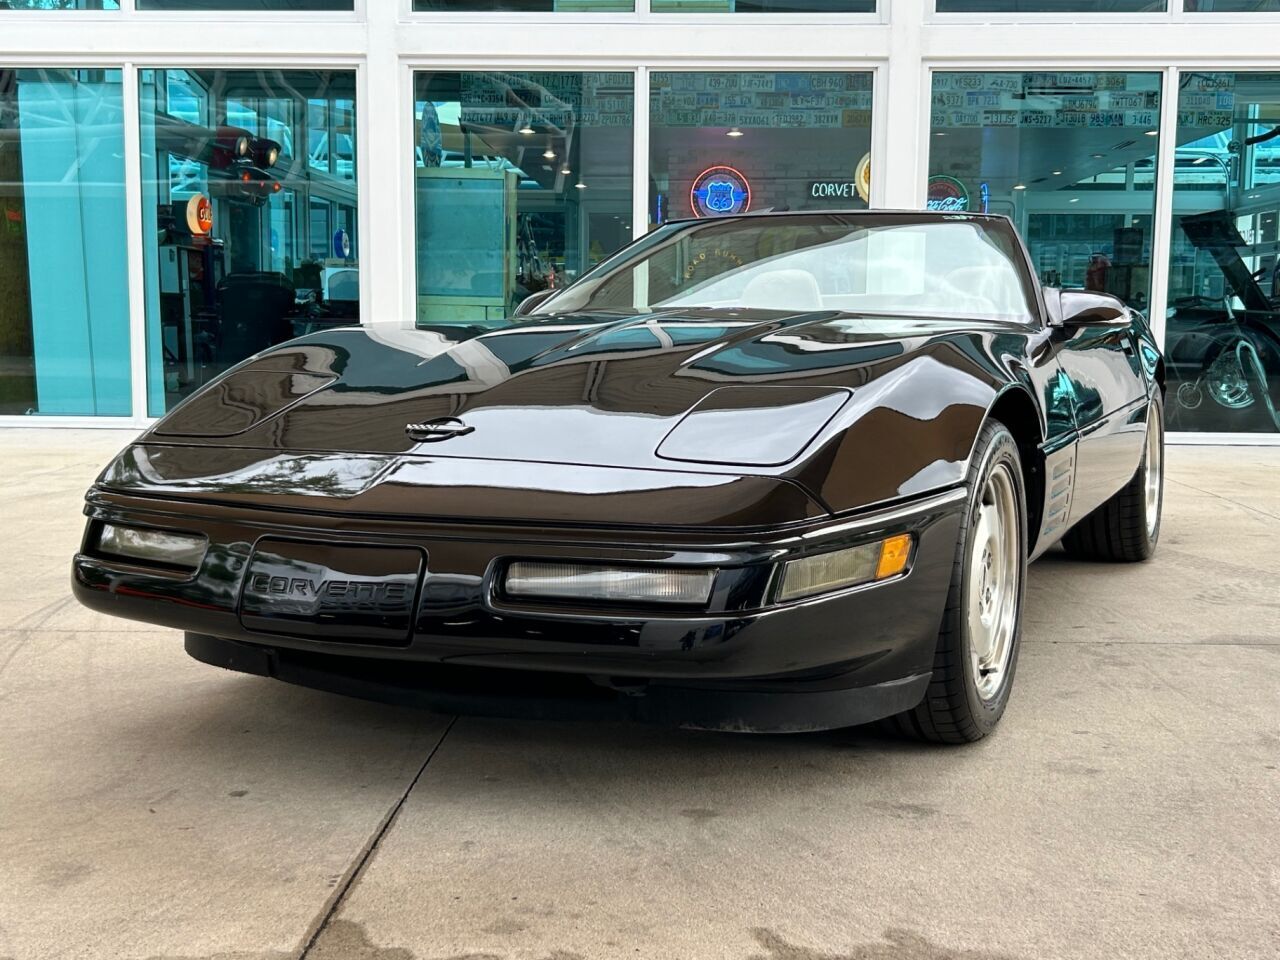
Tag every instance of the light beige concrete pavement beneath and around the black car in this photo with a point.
(152, 807)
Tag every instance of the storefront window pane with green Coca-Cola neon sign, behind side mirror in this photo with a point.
(1069, 157)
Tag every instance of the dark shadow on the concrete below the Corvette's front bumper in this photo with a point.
(262, 730)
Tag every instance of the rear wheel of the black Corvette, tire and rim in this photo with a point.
(1127, 528)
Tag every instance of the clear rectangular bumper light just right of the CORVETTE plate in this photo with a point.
(592, 583)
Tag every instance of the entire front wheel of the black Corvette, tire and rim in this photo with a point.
(977, 653)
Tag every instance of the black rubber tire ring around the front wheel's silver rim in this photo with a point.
(1000, 449)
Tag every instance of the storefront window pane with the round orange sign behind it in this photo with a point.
(248, 243)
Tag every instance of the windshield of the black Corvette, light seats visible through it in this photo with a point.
(858, 264)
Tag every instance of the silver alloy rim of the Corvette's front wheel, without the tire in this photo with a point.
(995, 570)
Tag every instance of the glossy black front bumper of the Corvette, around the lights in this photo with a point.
(854, 639)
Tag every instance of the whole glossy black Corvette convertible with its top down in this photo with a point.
(764, 473)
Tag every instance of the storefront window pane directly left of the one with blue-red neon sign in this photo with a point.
(523, 182)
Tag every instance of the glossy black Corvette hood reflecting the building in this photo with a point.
(742, 392)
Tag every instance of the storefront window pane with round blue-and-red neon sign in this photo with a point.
(730, 143)
